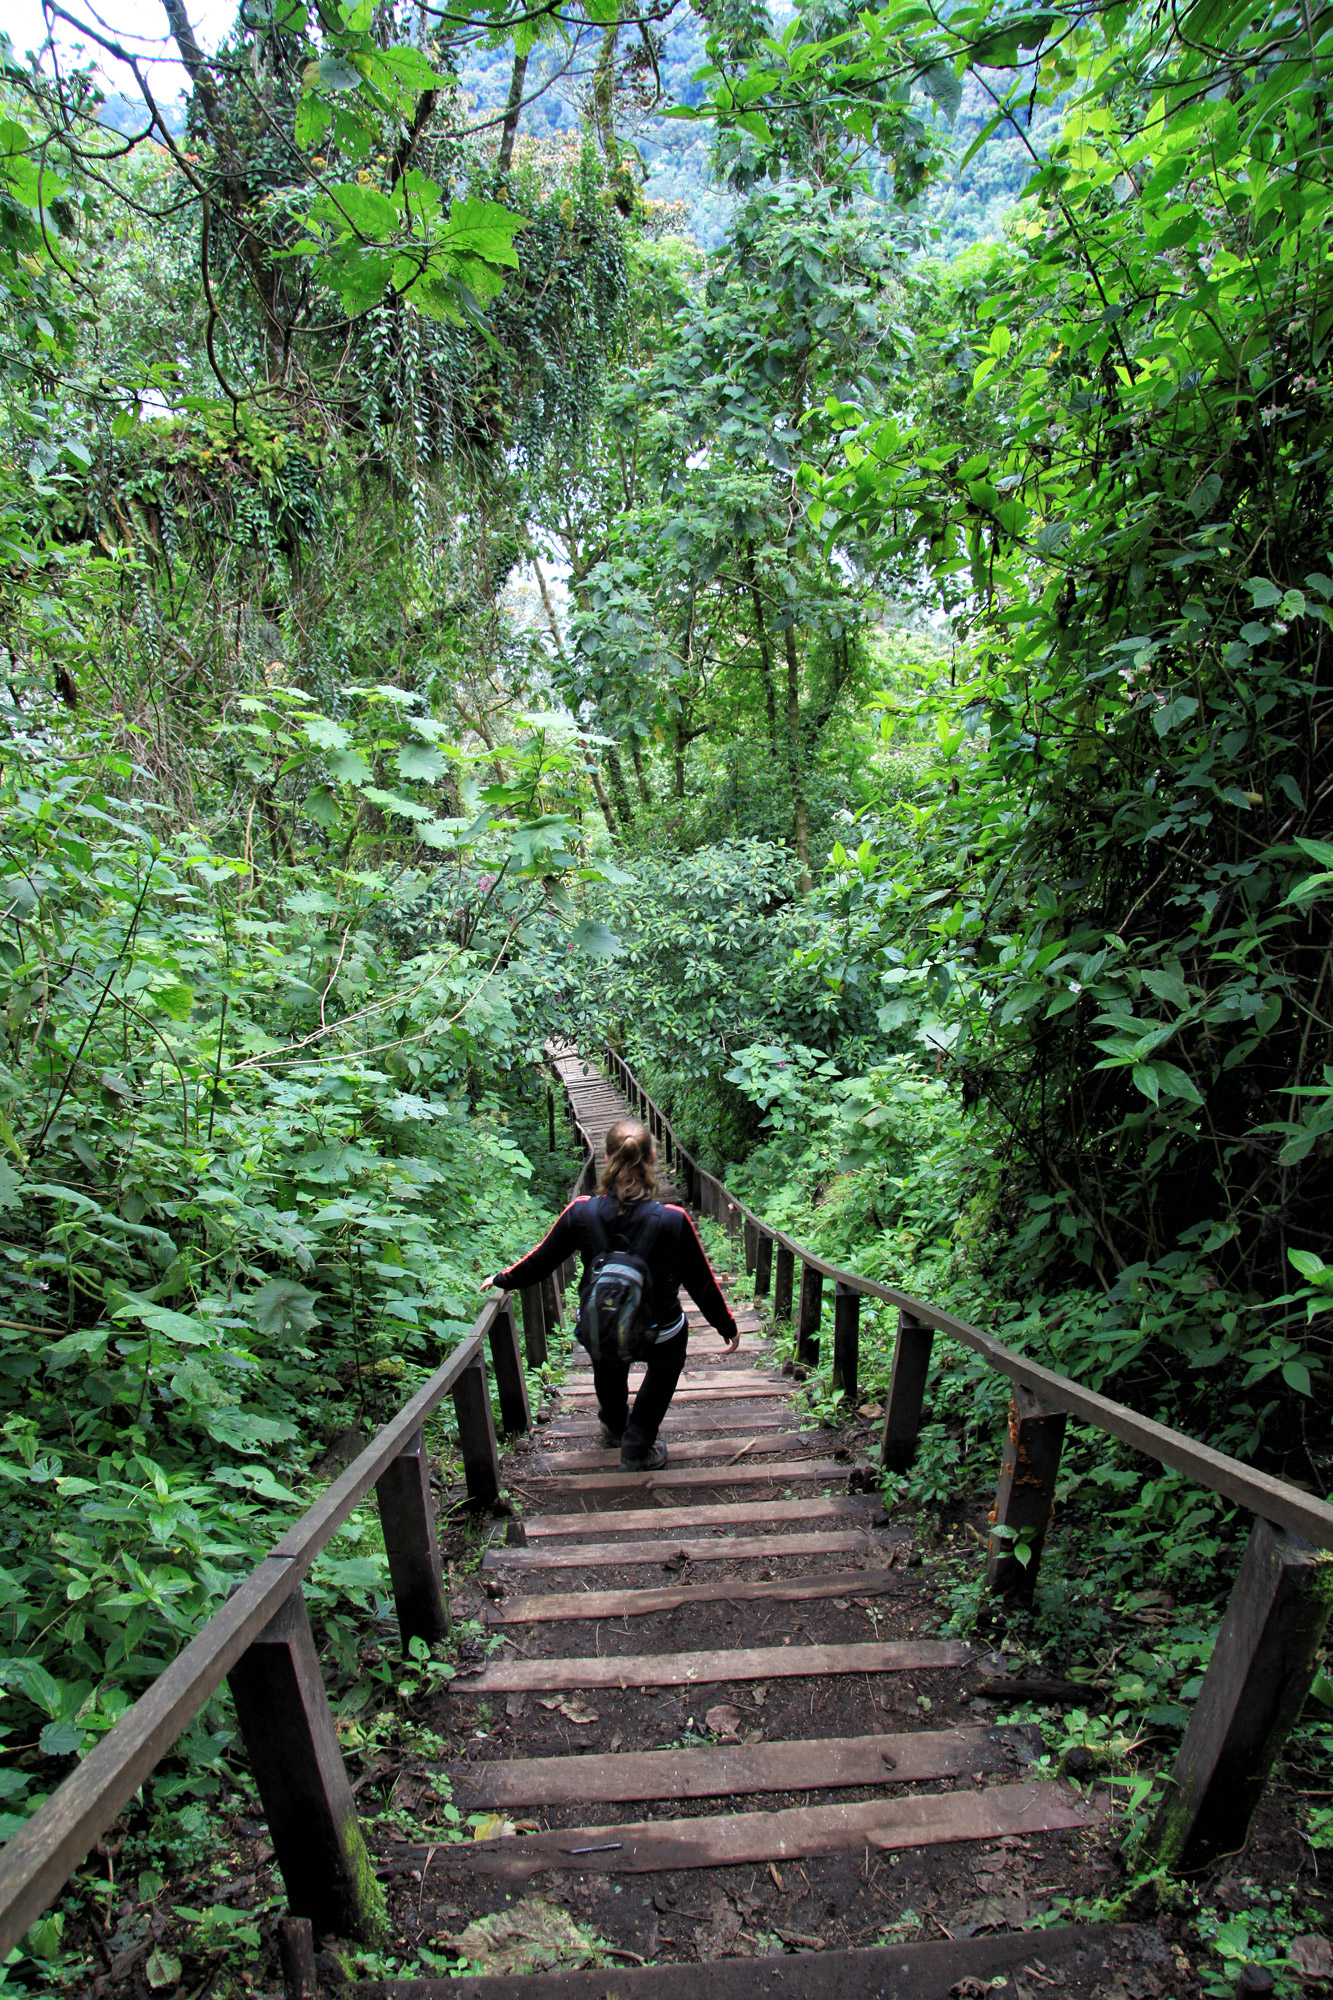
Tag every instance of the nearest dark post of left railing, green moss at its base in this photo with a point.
(293, 1747)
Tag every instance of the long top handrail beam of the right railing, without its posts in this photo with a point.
(1258, 1491)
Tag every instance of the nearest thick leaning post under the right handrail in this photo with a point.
(1252, 1697)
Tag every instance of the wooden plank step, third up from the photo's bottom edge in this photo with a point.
(738, 1771)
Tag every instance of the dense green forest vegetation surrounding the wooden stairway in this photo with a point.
(920, 763)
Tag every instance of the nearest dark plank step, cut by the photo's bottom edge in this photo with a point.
(880, 1973)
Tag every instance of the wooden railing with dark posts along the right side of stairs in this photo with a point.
(1270, 1639)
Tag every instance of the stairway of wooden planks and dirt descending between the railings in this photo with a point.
(722, 1715)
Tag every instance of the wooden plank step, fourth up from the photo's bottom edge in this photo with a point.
(734, 1663)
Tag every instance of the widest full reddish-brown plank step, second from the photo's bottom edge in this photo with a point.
(792, 1835)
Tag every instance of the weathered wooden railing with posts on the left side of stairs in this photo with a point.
(263, 1647)
